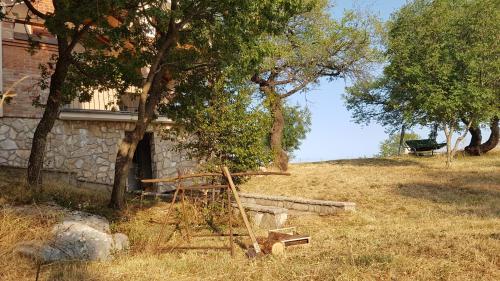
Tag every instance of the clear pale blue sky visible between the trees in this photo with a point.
(333, 133)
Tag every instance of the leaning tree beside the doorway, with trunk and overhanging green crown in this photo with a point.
(188, 38)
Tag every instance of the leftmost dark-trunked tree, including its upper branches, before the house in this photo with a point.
(70, 22)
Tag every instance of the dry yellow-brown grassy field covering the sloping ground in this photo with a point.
(415, 220)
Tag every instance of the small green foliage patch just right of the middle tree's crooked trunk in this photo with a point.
(297, 125)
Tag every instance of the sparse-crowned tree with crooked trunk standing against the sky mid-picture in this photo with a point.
(313, 46)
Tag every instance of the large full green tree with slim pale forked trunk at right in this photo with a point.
(442, 63)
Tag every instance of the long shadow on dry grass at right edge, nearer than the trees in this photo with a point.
(467, 201)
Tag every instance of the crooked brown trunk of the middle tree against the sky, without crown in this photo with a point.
(280, 155)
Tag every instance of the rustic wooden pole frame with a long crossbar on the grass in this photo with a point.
(231, 190)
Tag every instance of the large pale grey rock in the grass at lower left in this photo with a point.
(80, 236)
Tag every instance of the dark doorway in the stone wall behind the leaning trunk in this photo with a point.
(141, 167)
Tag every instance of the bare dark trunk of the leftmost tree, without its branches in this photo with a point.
(50, 114)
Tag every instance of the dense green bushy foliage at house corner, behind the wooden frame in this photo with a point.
(225, 128)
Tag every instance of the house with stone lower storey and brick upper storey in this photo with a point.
(85, 138)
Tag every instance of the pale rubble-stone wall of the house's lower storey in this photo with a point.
(86, 148)
